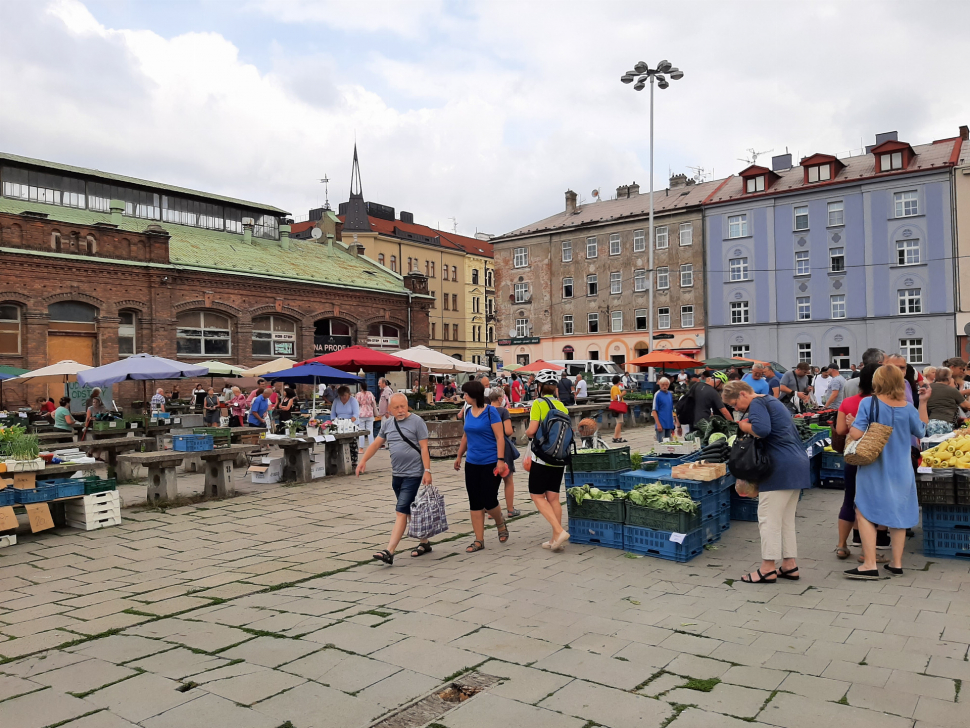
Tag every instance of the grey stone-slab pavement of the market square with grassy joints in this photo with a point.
(264, 611)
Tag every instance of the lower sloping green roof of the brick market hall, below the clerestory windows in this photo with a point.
(190, 247)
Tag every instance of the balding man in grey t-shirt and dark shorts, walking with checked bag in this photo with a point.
(407, 437)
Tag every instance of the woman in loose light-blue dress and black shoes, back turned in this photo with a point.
(886, 489)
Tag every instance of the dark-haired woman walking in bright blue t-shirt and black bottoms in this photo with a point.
(484, 441)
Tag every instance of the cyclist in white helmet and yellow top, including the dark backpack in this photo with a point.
(550, 430)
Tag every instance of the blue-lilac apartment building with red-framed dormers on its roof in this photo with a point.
(820, 261)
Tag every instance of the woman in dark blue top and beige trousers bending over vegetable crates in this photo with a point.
(769, 420)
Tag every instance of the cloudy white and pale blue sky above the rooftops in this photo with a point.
(485, 112)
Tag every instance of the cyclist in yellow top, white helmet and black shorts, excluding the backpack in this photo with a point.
(545, 481)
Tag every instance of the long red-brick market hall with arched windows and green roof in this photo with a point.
(98, 266)
